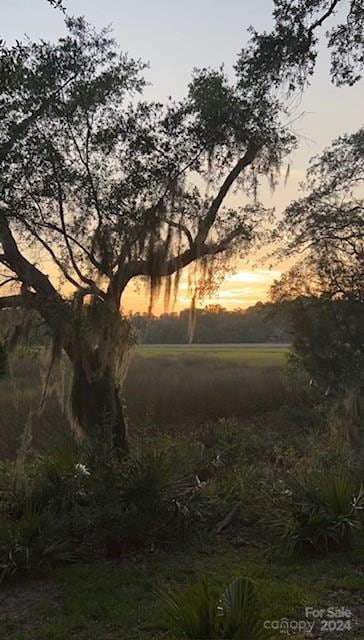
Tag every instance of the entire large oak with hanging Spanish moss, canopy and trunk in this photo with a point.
(98, 186)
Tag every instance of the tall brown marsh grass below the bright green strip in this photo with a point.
(193, 388)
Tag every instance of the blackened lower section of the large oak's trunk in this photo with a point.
(98, 407)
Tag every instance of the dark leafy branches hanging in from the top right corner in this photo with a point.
(288, 53)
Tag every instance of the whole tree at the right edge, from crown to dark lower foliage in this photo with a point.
(326, 227)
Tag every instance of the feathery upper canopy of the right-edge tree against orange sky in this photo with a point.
(327, 225)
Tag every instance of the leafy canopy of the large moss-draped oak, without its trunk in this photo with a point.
(97, 182)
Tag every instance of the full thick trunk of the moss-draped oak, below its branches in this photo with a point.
(96, 403)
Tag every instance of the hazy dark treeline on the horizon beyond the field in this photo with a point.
(214, 324)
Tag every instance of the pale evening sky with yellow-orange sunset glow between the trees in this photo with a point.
(175, 36)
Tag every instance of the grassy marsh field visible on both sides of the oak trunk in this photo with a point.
(166, 385)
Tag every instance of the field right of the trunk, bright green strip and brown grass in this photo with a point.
(180, 384)
